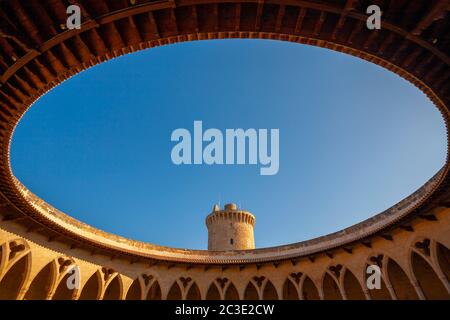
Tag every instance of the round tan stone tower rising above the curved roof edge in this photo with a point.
(230, 229)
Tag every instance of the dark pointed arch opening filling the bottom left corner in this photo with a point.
(14, 279)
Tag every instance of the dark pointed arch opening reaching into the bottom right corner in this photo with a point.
(427, 278)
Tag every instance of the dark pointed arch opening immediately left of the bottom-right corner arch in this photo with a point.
(400, 282)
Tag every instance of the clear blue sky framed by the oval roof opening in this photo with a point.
(354, 140)
